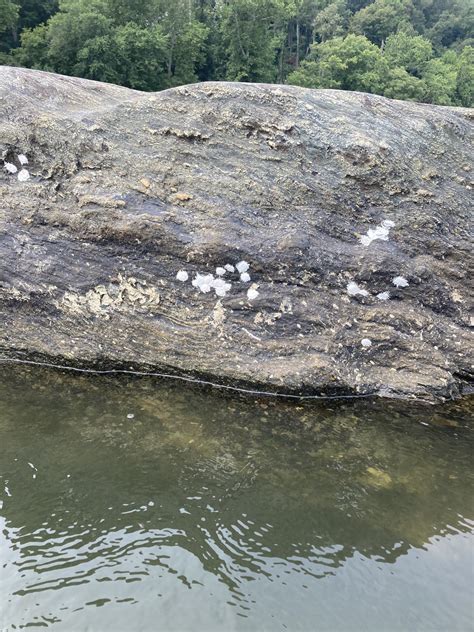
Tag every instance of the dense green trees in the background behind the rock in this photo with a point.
(420, 50)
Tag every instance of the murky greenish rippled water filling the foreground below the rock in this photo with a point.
(137, 505)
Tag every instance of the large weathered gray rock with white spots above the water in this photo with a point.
(327, 195)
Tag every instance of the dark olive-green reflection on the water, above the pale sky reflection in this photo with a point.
(242, 484)
